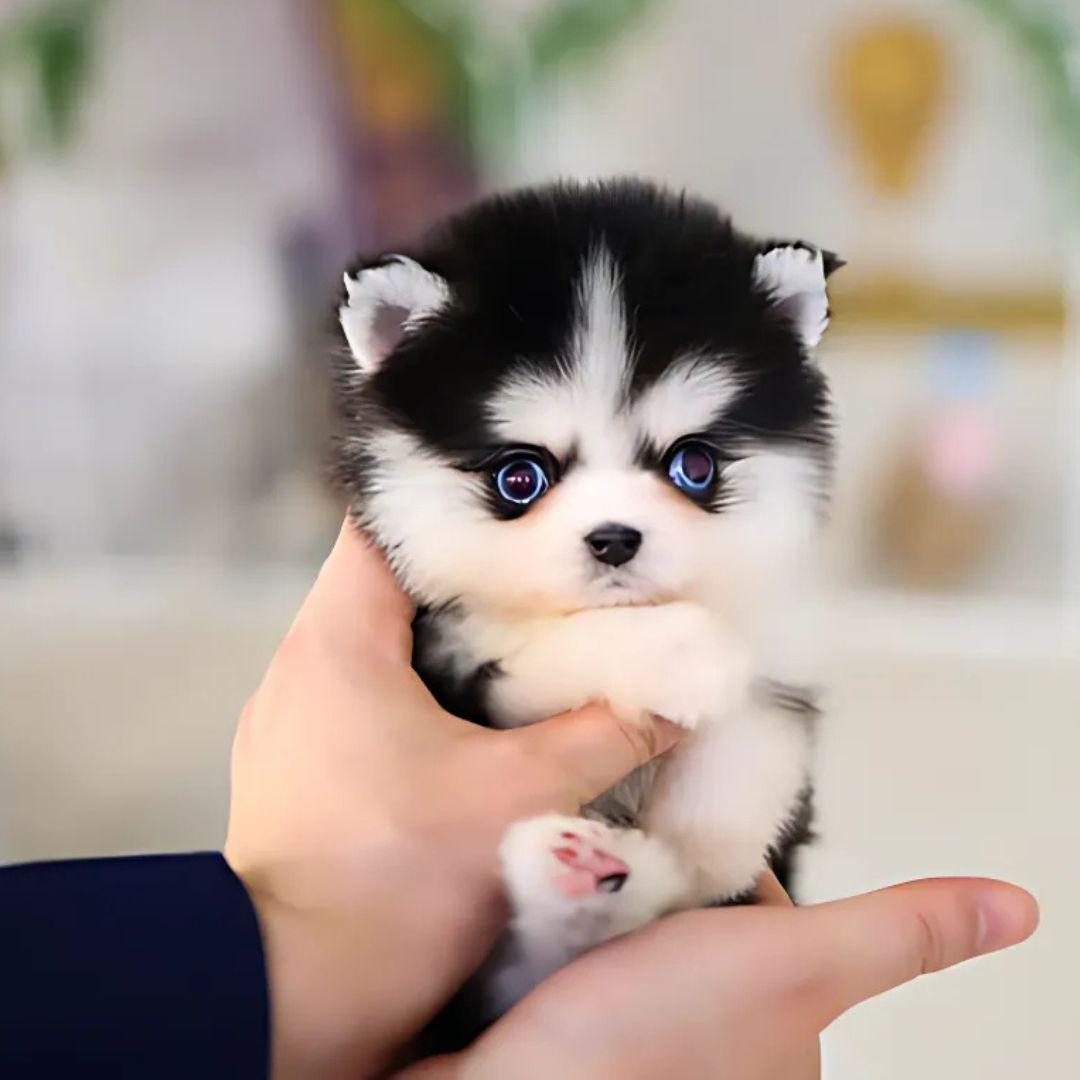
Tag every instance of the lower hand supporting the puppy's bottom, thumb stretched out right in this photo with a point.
(738, 993)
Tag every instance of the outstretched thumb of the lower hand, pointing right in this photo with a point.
(867, 946)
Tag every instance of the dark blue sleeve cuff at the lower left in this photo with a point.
(144, 967)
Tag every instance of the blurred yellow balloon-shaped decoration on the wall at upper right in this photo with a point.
(890, 84)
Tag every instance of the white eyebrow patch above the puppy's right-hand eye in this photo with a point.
(686, 399)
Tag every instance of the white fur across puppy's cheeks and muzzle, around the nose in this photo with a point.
(447, 545)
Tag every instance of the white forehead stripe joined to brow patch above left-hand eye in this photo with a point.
(583, 402)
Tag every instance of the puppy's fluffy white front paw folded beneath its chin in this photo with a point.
(678, 661)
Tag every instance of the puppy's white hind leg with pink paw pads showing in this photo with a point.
(573, 884)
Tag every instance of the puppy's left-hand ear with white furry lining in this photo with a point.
(384, 303)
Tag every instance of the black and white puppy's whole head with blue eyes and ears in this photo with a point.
(585, 397)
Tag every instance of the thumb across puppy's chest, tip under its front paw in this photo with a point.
(597, 749)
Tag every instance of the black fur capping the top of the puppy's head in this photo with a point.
(512, 264)
